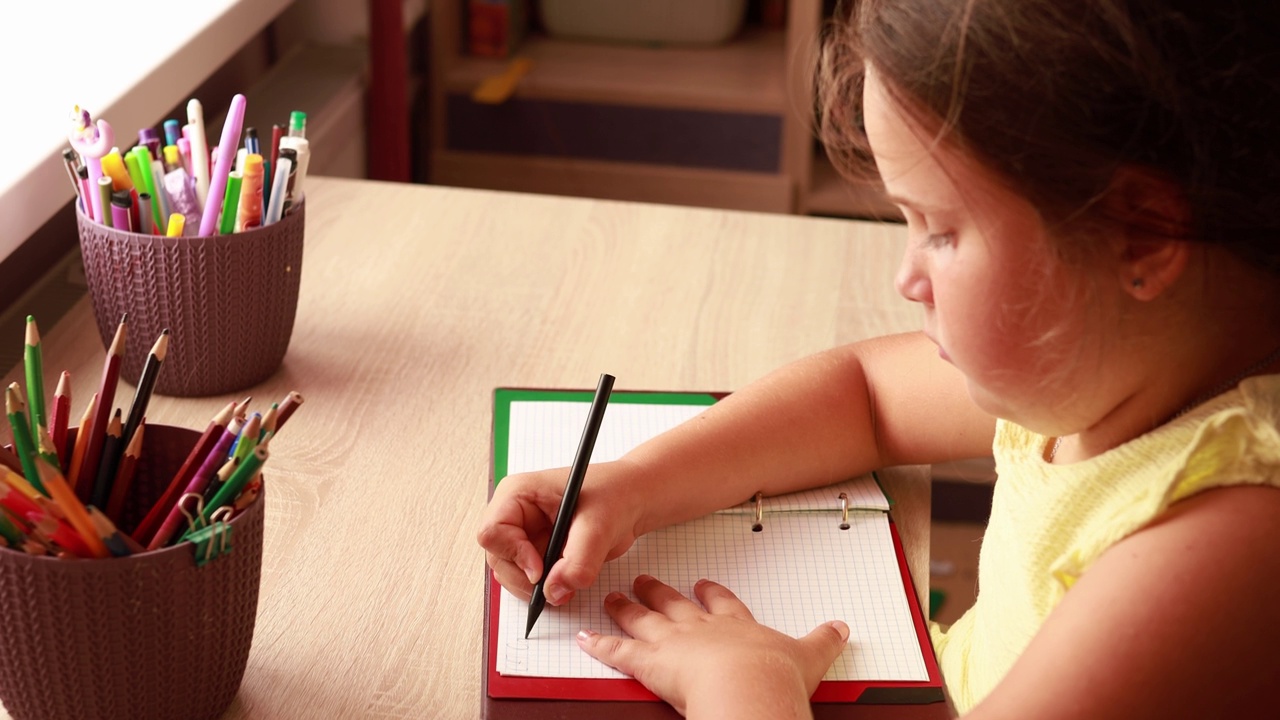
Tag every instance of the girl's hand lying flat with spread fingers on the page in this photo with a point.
(715, 662)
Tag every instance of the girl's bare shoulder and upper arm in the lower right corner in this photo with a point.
(1177, 619)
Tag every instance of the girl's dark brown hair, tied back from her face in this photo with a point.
(1057, 97)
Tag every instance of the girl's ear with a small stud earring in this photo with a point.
(1154, 222)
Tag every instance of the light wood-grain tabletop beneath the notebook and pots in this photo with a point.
(417, 303)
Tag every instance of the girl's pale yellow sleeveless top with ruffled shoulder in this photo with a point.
(1049, 523)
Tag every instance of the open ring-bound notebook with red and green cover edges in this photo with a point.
(796, 560)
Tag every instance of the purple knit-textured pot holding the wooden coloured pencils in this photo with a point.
(147, 637)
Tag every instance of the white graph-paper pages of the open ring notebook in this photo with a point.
(801, 572)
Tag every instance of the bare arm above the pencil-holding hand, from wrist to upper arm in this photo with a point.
(834, 416)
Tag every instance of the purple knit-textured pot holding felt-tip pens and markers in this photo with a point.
(228, 300)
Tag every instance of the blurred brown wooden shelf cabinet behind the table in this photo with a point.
(723, 126)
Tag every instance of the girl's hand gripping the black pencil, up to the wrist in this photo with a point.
(518, 525)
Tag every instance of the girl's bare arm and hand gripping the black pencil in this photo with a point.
(830, 417)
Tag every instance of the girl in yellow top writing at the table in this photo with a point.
(1095, 236)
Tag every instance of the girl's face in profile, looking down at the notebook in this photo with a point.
(996, 299)
